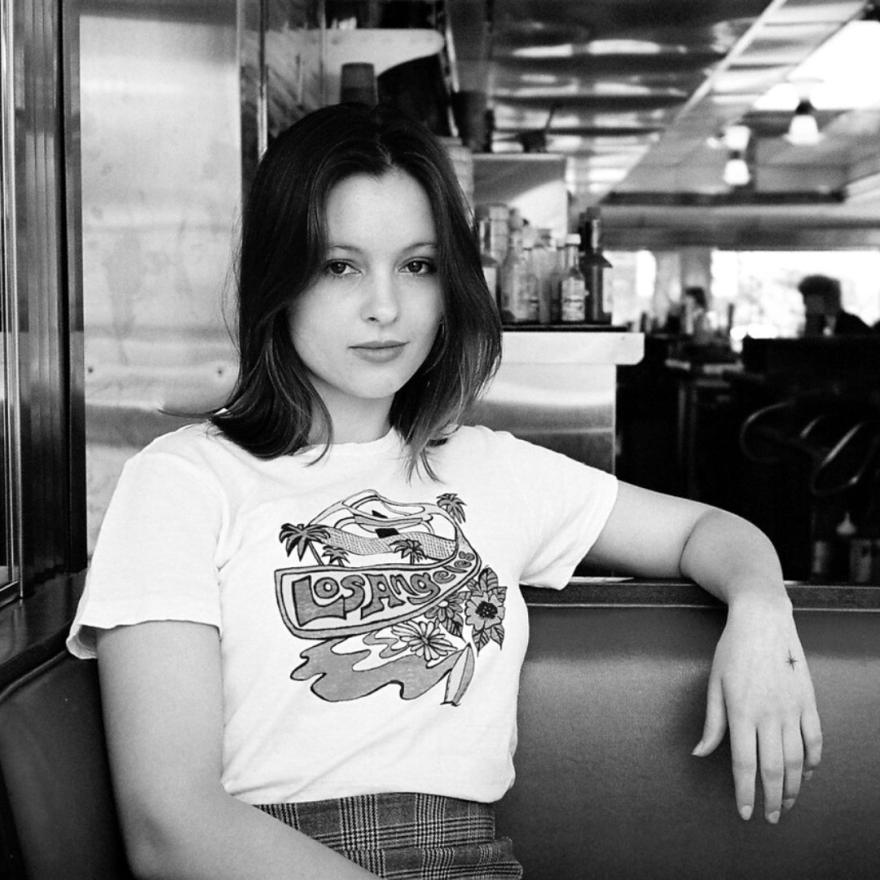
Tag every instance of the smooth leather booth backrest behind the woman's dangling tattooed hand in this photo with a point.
(611, 703)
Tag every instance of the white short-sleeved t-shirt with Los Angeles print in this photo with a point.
(372, 628)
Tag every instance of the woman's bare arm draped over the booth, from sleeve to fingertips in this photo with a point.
(759, 686)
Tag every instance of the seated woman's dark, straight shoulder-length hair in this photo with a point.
(272, 408)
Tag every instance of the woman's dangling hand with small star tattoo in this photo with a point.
(760, 688)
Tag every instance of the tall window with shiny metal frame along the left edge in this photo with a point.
(42, 472)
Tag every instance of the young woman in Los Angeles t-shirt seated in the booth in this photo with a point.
(306, 610)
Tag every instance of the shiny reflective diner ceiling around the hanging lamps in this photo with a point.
(637, 94)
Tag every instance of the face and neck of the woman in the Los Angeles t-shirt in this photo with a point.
(369, 319)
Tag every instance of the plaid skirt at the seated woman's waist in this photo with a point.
(408, 836)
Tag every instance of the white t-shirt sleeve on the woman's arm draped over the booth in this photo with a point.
(565, 505)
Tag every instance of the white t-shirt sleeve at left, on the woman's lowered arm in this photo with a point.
(155, 557)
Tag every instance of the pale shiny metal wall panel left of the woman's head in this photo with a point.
(161, 183)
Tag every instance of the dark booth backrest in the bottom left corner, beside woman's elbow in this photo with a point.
(57, 814)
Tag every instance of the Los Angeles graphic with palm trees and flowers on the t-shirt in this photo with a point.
(395, 595)
